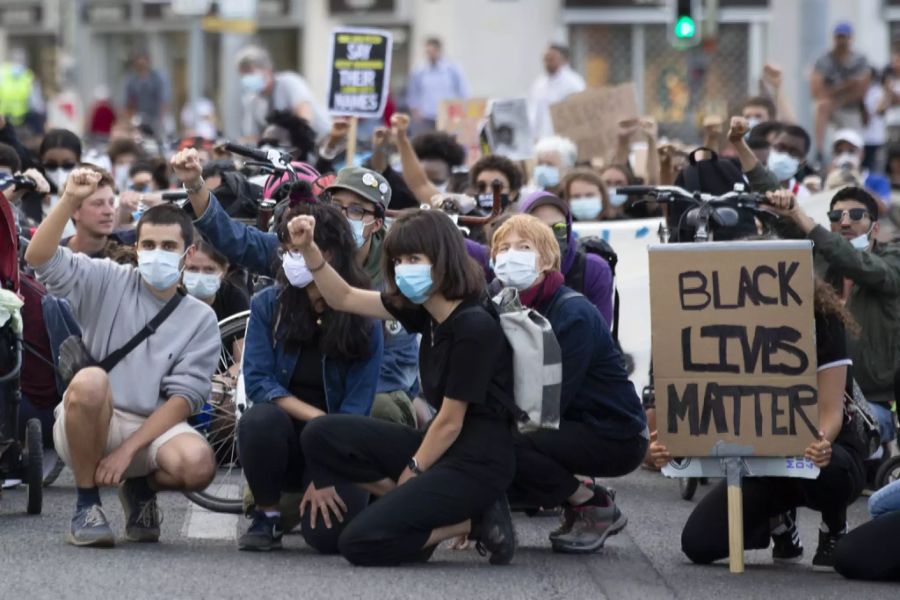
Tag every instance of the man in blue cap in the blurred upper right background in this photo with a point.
(839, 83)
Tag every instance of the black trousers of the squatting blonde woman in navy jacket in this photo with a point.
(548, 460)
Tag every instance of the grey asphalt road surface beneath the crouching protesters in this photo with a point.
(197, 558)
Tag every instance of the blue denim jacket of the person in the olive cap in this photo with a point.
(257, 251)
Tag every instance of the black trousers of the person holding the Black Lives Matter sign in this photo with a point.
(705, 535)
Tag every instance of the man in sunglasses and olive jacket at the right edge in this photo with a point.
(866, 273)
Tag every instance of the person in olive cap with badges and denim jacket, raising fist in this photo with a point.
(362, 196)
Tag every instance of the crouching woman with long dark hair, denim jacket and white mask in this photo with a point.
(301, 361)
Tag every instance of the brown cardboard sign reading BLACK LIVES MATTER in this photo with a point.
(734, 351)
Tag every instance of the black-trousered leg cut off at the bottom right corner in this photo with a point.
(871, 551)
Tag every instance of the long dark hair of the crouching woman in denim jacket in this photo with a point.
(343, 335)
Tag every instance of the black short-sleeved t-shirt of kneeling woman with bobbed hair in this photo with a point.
(465, 358)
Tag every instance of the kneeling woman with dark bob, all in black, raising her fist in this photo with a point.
(451, 480)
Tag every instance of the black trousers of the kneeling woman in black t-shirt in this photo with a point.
(395, 528)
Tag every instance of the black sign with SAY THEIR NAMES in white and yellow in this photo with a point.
(360, 68)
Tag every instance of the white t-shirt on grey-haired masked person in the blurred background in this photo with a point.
(289, 90)
